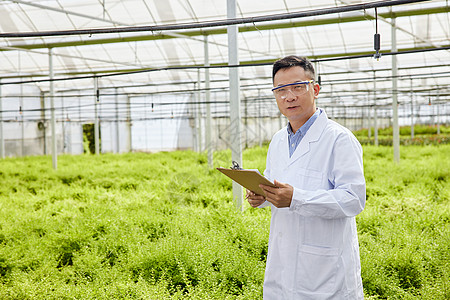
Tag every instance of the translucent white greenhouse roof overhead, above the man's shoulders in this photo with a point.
(341, 44)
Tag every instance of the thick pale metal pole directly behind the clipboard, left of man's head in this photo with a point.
(235, 103)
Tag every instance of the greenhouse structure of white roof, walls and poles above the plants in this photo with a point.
(165, 75)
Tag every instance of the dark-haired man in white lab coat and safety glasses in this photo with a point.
(317, 167)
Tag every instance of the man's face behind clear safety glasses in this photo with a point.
(298, 109)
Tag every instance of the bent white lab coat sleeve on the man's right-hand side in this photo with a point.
(345, 173)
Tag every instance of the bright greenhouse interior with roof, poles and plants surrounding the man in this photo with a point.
(179, 85)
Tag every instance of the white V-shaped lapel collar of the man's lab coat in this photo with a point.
(311, 136)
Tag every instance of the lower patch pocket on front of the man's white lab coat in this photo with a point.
(317, 269)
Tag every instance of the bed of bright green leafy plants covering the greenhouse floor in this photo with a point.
(164, 226)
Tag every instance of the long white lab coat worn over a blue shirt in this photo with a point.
(313, 244)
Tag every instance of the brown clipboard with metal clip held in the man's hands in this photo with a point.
(250, 179)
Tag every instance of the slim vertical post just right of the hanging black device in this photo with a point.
(395, 128)
